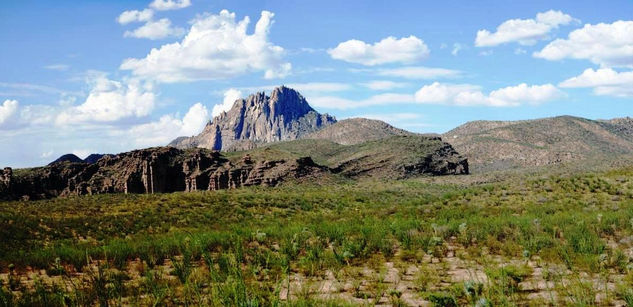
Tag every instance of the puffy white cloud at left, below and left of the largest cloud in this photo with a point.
(110, 101)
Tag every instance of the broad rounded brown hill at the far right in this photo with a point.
(493, 145)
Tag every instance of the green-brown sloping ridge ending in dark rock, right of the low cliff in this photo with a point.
(398, 156)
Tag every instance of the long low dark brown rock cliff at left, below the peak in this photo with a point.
(153, 170)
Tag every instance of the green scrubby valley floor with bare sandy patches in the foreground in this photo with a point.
(464, 240)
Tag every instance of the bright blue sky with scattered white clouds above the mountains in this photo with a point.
(111, 76)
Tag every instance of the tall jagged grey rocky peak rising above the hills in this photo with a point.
(259, 119)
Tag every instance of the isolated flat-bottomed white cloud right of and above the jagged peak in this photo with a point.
(389, 50)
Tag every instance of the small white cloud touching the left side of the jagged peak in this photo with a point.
(169, 127)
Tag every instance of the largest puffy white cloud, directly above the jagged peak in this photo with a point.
(216, 47)
